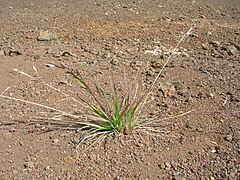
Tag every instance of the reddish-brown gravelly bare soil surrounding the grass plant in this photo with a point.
(103, 37)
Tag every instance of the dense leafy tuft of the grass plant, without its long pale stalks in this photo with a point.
(109, 114)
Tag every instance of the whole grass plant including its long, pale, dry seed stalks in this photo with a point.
(109, 114)
